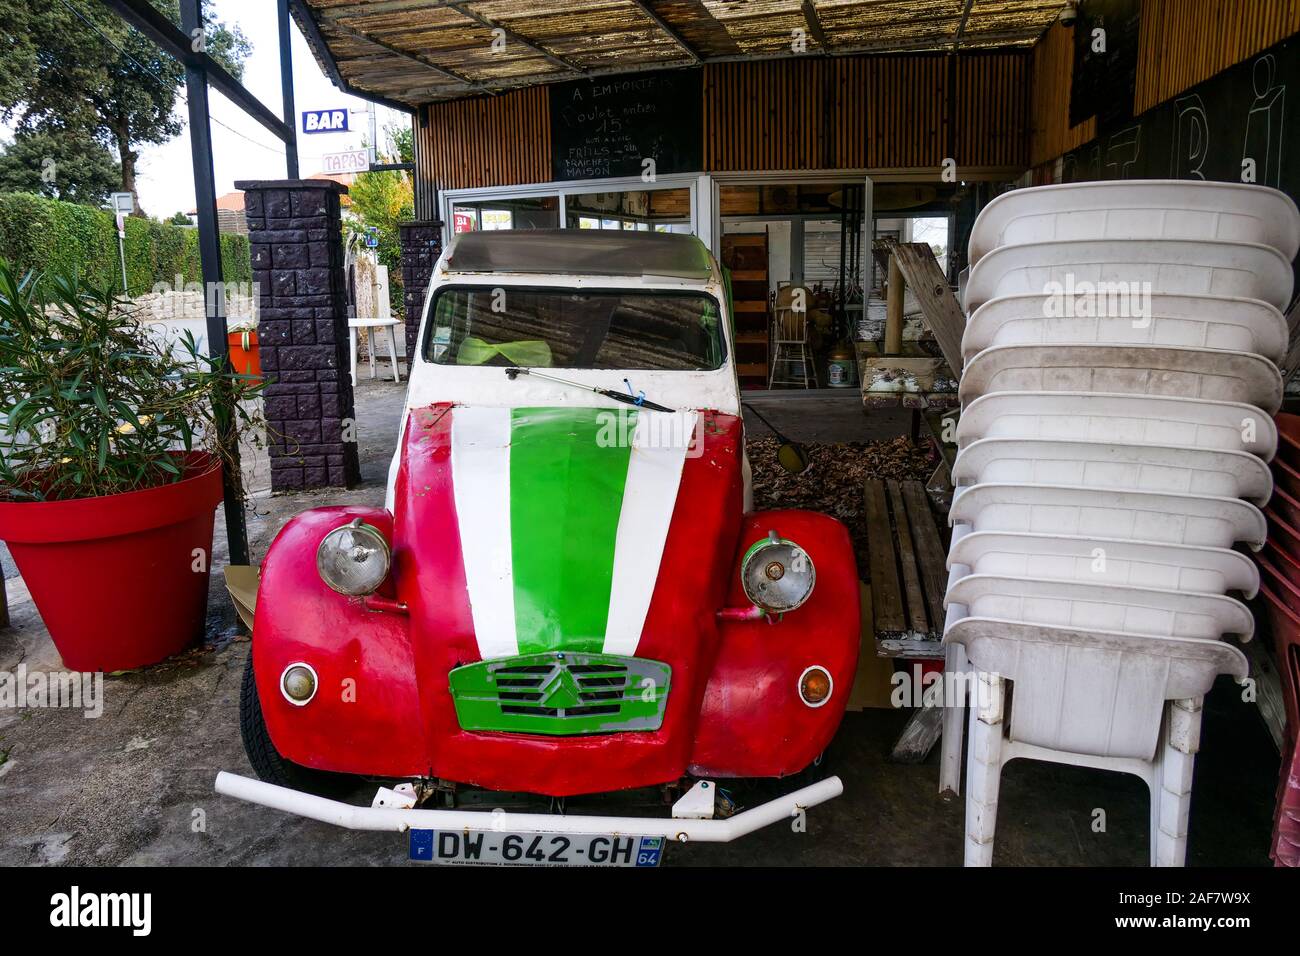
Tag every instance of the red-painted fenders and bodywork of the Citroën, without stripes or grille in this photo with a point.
(384, 707)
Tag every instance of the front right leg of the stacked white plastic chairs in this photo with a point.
(1172, 782)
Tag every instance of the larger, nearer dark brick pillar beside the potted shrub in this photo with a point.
(298, 266)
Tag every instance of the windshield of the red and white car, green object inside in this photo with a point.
(570, 328)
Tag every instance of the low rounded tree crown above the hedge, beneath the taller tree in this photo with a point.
(66, 165)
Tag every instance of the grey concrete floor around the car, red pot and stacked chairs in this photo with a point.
(135, 788)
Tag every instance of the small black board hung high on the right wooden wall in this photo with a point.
(1106, 60)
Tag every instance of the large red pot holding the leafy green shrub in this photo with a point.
(115, 578)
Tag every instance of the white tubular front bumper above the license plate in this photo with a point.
(401, 820)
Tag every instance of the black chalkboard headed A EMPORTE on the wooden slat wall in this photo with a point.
(609, 127)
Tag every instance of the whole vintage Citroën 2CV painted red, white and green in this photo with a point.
(569, 591)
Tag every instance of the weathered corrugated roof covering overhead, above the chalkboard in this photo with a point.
(426, 51)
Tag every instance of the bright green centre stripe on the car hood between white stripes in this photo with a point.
(567, 474)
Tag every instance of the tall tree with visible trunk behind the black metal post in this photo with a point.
(80, 67)
